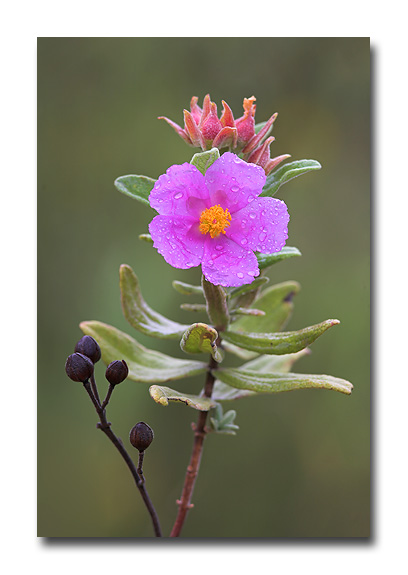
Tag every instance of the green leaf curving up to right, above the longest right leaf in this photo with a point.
(279, 343)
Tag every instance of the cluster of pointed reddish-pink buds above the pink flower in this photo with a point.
(203, 128)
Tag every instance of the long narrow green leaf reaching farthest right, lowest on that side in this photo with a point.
(278, 382)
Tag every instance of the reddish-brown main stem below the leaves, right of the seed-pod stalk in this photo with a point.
(194, 465)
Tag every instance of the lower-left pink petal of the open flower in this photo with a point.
(178, 240)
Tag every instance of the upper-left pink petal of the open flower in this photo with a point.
(180, 191)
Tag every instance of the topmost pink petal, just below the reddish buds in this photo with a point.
(233, 183)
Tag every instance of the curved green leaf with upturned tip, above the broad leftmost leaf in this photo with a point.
(139, 314)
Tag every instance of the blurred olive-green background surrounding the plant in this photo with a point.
(300, 463)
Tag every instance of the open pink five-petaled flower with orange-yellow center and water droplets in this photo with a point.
(217, 220)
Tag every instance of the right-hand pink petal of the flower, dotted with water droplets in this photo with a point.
(262, 226)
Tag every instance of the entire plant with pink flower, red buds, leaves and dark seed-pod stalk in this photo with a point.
(217, 211)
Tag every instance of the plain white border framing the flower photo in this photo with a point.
(23, 22)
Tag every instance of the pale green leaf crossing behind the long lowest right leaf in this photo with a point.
(262, 364)
